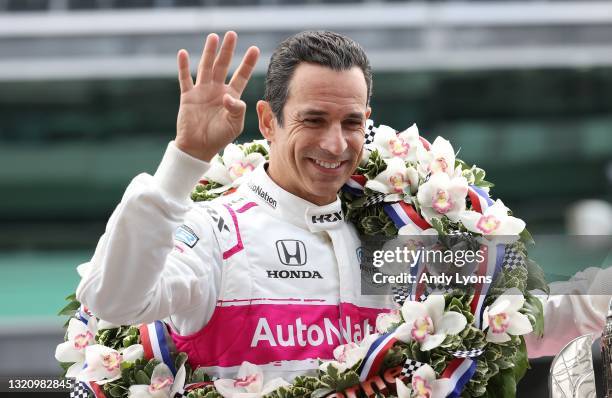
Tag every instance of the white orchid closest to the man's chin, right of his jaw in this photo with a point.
(395, 181)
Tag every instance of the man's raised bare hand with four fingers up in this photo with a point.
(211, 113)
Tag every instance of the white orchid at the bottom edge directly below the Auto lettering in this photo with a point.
(249, 384)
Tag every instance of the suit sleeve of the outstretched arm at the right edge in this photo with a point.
(574, 308)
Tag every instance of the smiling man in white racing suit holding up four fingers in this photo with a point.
(268, 274)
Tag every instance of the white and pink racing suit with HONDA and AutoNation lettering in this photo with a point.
(258, 275)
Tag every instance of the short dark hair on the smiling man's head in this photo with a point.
(325, 48)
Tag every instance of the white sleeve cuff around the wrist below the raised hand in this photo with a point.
(179, 172)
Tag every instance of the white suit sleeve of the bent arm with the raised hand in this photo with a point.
(158, 257)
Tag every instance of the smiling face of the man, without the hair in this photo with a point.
(319, 145)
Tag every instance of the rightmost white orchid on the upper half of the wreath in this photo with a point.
(494, 223)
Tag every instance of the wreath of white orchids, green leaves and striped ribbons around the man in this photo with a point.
(462, 343)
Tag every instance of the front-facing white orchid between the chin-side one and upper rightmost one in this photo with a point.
(441, 196)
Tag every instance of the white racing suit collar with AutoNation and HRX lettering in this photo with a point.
(290, 207)
